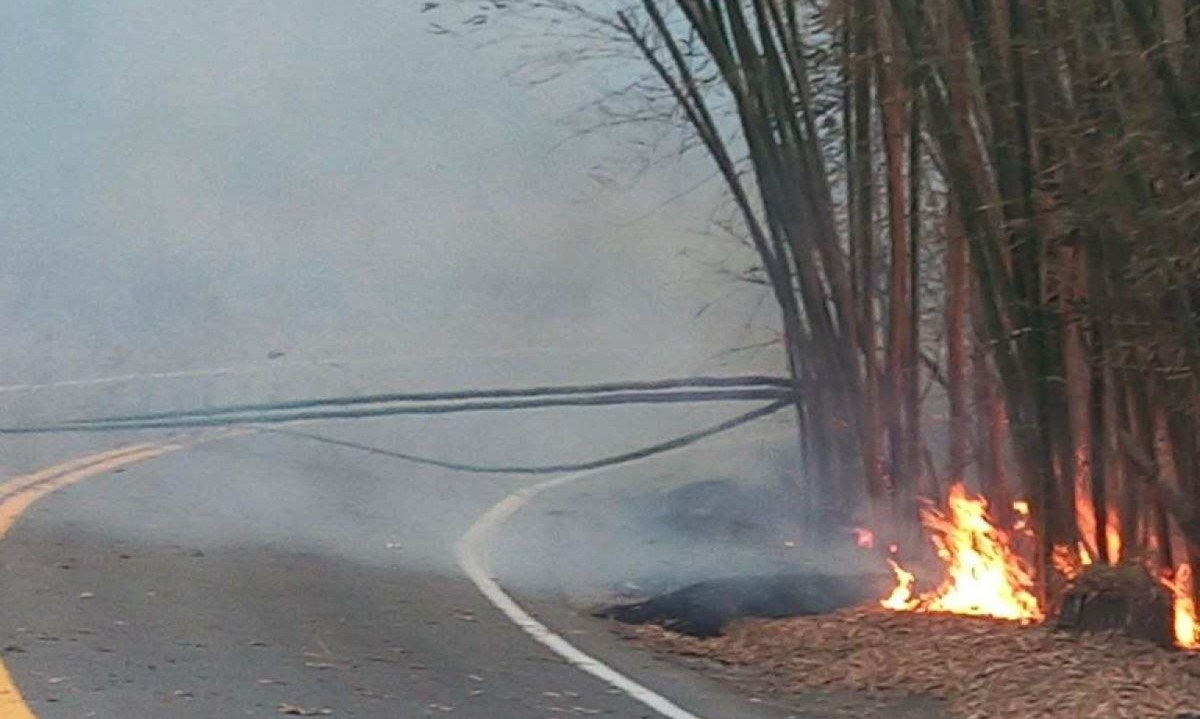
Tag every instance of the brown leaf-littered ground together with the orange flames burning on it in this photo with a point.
(977, 642)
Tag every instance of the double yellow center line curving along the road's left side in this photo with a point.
(20, 494)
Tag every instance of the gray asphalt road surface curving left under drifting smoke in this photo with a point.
(243, 576)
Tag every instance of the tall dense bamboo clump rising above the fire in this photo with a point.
(1011, 185)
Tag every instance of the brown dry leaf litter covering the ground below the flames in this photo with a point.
(976, 669)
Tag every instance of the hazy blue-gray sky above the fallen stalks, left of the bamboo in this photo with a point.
(196, 183)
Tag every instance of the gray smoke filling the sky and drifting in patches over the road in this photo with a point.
(191, 185)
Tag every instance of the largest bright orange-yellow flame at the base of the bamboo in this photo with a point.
(985, 577)
